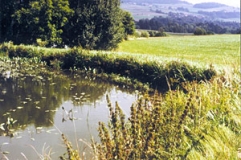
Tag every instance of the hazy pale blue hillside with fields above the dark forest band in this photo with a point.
(142, 9)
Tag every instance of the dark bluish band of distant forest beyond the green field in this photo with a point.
(181, 23)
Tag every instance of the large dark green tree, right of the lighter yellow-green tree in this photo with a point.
(96, 24)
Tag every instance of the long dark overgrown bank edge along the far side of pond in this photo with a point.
(158, 75)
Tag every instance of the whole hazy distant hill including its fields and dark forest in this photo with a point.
(182, 17)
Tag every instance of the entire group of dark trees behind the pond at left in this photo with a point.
(92, 24)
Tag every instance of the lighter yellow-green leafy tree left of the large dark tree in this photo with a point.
(43, 19)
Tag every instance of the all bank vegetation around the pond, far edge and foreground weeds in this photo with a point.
(198, 116)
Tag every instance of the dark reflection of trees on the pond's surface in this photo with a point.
(34, 99)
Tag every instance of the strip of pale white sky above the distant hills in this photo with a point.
(235, 3)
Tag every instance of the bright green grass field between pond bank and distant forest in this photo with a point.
(205, 50)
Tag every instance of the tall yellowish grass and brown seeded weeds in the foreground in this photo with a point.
(202, 123)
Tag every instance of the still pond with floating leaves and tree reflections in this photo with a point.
(36, 106)
